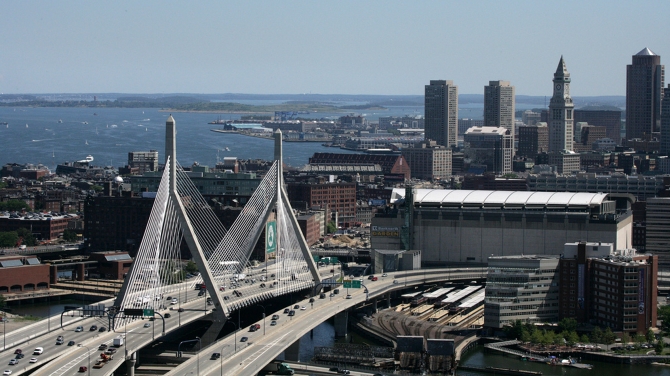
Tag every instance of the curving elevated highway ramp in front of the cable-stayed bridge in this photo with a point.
(263, 346)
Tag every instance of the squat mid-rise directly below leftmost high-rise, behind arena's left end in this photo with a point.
(428, 161)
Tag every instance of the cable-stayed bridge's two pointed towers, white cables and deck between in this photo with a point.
(180, 212)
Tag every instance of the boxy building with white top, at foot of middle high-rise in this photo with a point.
(490, 146)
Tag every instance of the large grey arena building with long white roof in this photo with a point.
(468, 226)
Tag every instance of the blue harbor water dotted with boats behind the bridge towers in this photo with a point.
(34, 135)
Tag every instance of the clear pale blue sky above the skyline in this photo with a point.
(328, 47)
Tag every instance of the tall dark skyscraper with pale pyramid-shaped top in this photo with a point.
(644, 82)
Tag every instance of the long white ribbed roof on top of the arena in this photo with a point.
(452, 198)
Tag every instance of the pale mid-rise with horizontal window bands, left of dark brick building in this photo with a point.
(521, 287)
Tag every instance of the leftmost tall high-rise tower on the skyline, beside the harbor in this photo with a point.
(441, 106)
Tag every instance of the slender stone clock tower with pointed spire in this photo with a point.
(561, 111)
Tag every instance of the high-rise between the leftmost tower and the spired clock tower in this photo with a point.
(499, 105)
